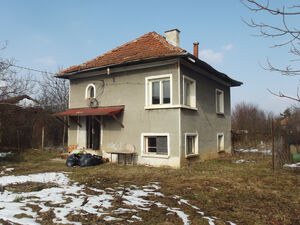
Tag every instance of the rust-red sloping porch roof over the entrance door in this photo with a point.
(109, 111)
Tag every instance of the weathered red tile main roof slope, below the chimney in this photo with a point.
(147, 46)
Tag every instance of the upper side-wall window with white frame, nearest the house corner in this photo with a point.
(189, 92)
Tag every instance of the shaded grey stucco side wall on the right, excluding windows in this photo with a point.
(205, 121)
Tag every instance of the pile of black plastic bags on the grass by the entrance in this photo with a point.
(81, 159)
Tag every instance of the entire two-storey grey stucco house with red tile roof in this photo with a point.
(152, 97)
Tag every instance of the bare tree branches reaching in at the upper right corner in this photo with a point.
(282, 29)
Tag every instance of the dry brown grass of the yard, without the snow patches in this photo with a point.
(244, 193)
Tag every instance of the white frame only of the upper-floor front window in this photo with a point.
(148, 91)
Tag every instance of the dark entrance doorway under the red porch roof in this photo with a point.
(93, 130)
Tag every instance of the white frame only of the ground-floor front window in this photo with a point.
(144, 152)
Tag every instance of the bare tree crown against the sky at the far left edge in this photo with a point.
(12, 81)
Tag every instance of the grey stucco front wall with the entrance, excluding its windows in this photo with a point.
(128, 89)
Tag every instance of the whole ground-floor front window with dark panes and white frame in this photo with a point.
(155, 144)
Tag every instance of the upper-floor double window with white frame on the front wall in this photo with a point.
(158, 90)
